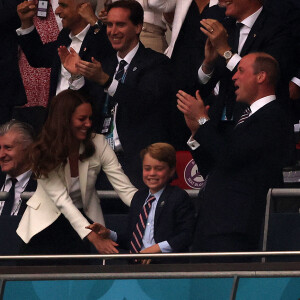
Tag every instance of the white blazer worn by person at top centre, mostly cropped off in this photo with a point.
(182, 7)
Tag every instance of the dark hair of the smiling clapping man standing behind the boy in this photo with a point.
(135, 8)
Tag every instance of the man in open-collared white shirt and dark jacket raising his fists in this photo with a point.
(81, 31)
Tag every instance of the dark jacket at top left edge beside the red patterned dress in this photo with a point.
(11, 85)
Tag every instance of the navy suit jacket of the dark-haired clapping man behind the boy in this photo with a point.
(143, 102)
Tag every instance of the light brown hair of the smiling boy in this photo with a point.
(162, 152)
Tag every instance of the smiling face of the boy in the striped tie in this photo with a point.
(156, 174)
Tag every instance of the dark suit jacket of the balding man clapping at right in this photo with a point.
(241, 167)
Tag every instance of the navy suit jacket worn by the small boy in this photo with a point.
(173, 221)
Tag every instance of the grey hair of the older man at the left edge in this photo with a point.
(25, 130)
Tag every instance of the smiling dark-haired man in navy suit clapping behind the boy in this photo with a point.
(137, 97)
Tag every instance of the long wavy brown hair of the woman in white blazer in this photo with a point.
(54, 144)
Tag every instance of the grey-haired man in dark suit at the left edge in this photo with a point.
(15, 139)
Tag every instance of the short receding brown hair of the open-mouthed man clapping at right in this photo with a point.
(266, 63)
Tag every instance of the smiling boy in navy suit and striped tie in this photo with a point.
(161, 217)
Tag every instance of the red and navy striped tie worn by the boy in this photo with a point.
(137, 236)
